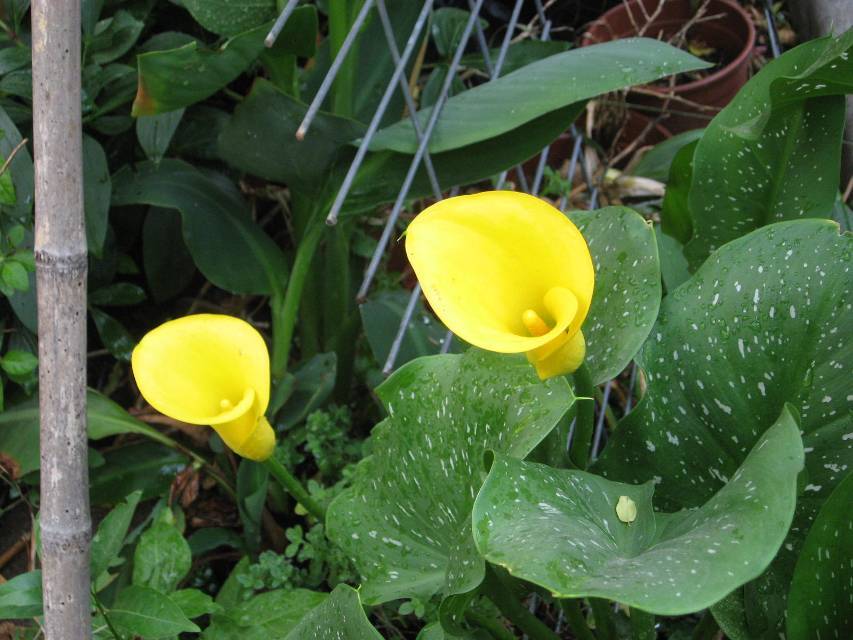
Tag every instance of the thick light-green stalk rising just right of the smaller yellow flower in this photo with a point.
(284, 310)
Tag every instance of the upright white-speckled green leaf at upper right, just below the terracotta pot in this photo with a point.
(773, 153)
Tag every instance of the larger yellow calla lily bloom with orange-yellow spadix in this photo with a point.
(506, 272)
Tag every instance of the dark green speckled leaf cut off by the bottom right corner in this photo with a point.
(819, 603)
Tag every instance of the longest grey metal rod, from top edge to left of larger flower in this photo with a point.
(419, 153)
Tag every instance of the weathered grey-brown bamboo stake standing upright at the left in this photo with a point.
(60, 252)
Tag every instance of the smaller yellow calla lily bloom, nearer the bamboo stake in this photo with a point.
(210, 370)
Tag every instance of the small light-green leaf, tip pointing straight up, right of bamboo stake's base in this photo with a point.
(162, 557)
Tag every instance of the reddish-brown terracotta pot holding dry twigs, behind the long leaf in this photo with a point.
(733, 34)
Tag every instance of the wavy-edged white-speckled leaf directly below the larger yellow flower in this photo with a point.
(406, 520)
